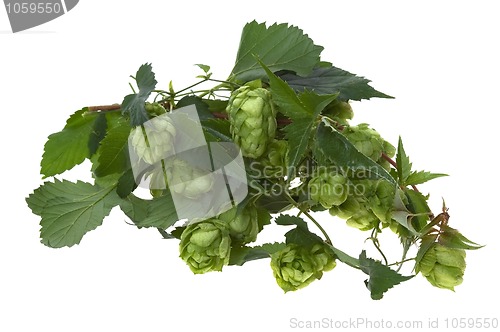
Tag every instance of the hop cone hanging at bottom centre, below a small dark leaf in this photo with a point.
(295, 267)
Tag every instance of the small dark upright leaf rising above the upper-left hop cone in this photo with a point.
(133, 104)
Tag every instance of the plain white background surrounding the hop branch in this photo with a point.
(440, 61)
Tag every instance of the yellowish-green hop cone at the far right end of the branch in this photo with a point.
(442, 266)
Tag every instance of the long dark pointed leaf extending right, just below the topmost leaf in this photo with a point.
(329, 80)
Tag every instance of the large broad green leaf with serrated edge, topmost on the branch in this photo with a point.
(280, 47)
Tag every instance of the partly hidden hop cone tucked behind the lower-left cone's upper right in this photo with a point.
(243, 223)
